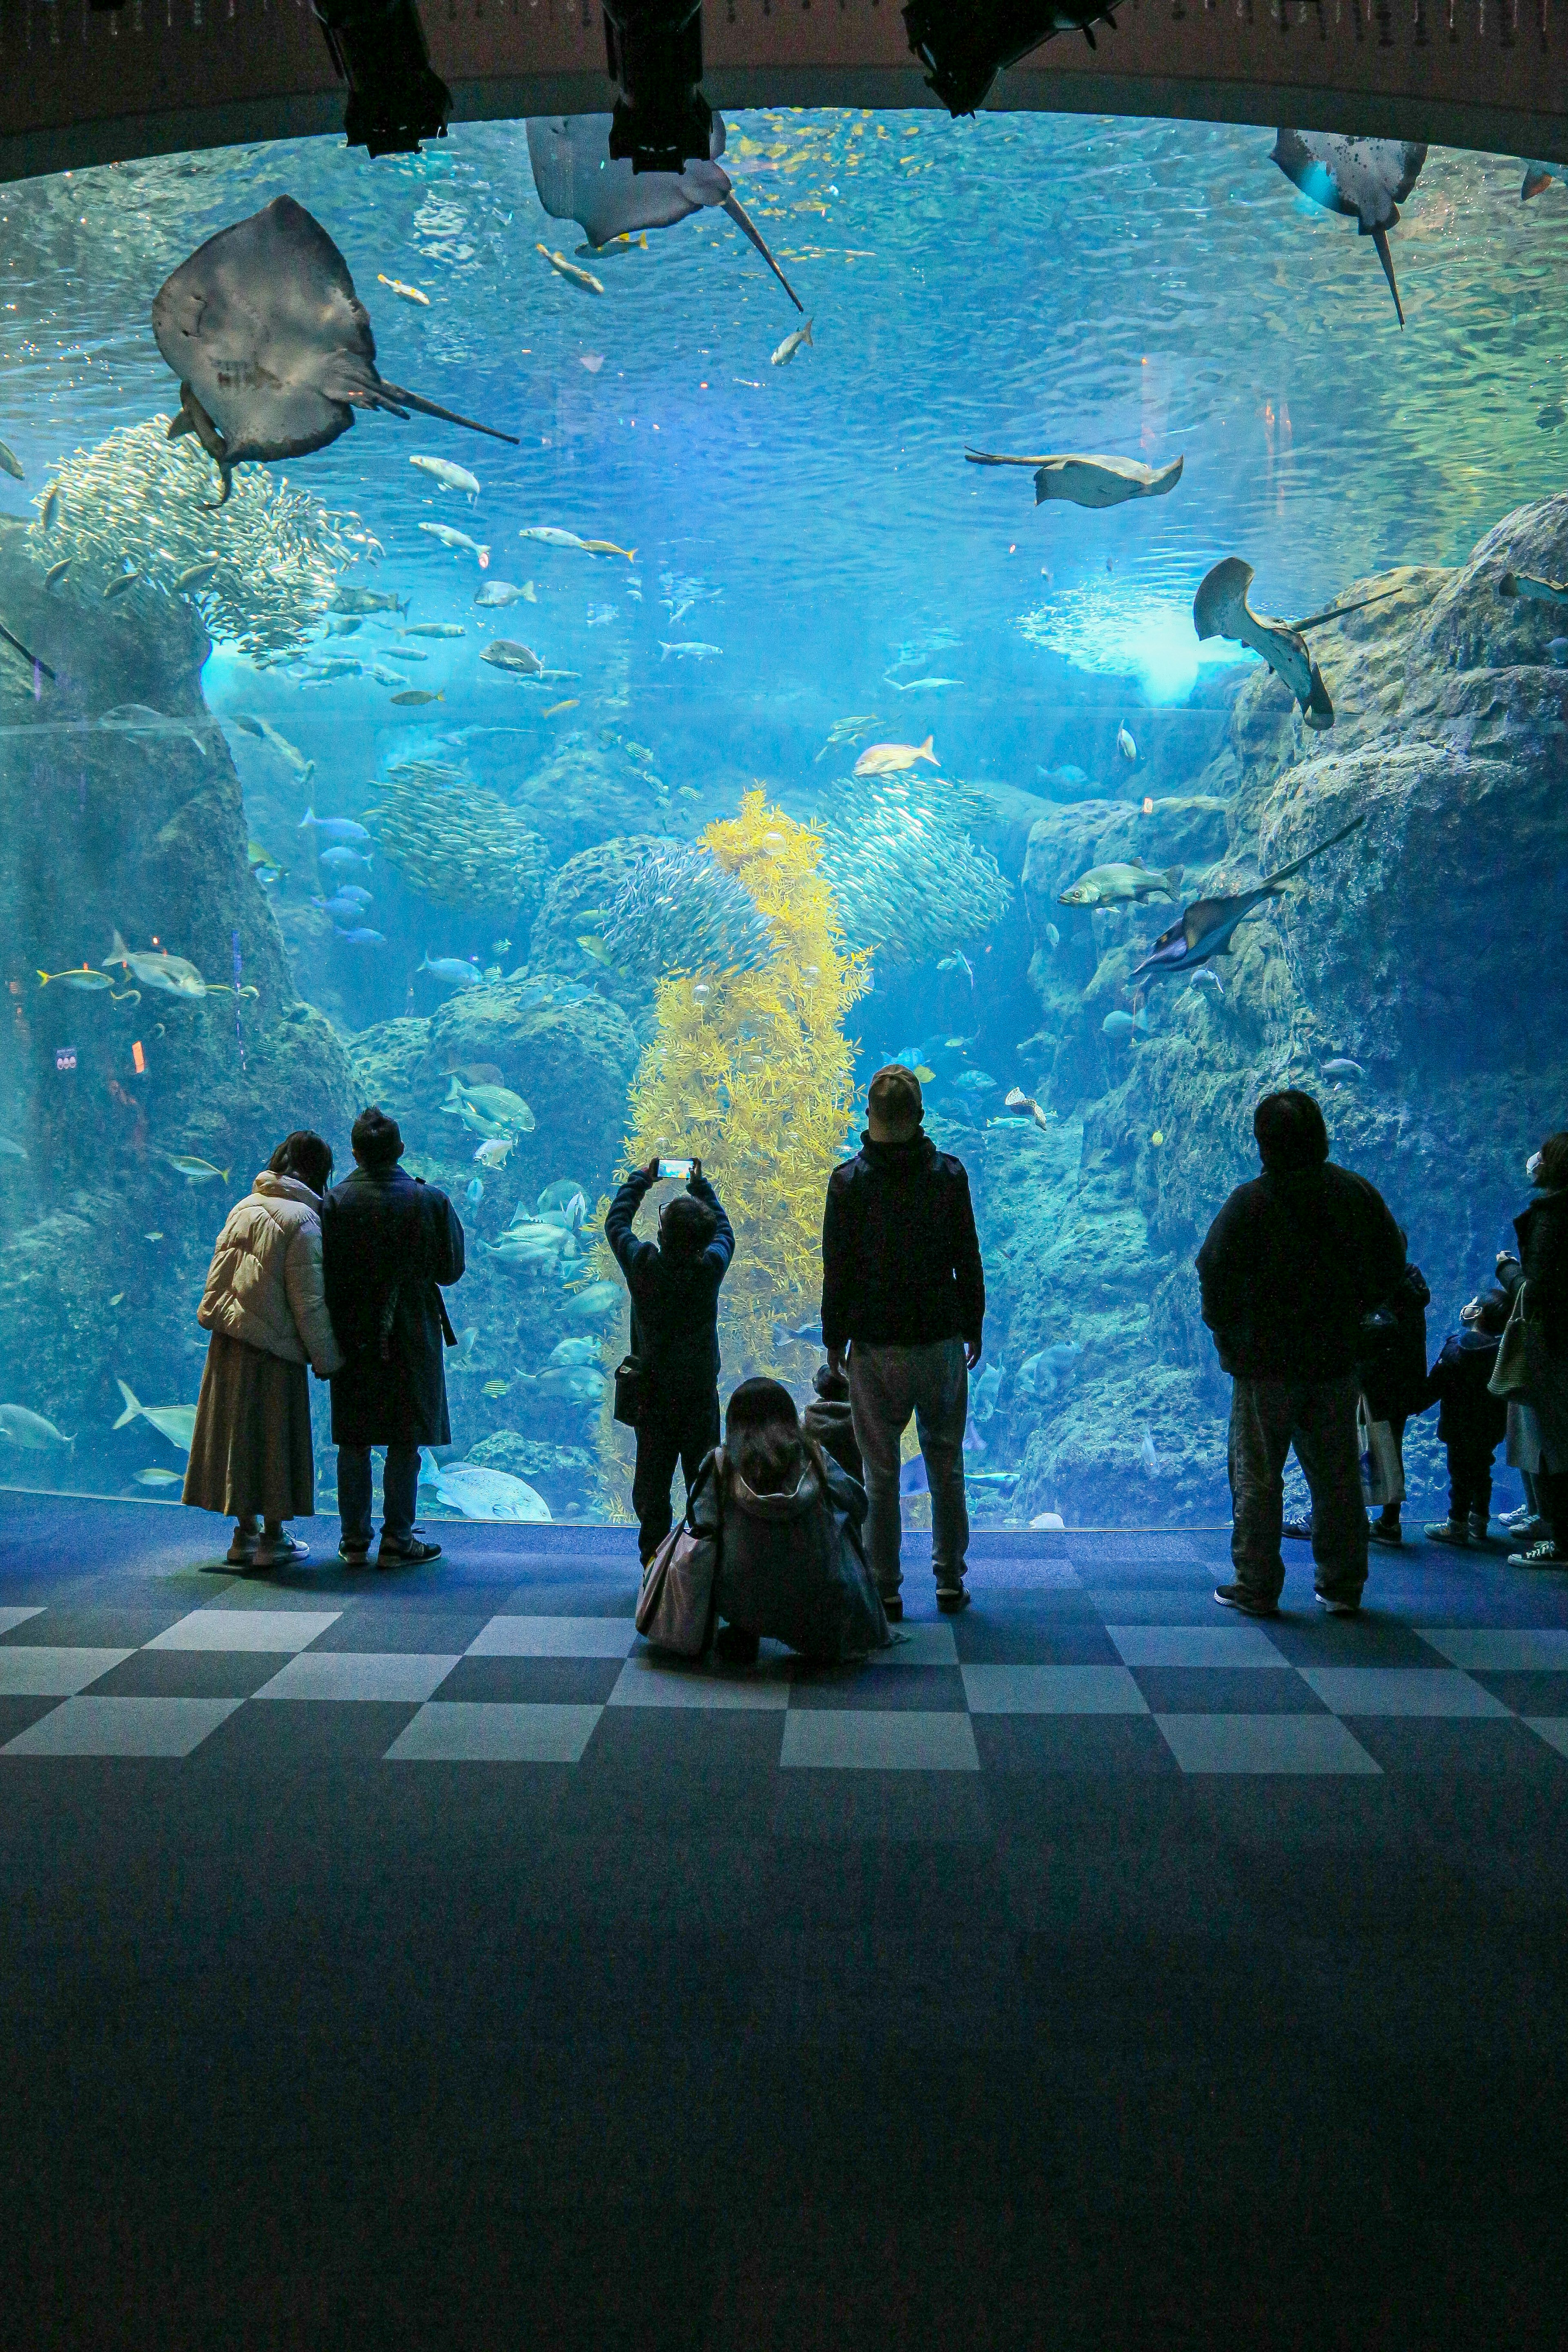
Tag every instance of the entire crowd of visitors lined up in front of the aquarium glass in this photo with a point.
(1318, 1316)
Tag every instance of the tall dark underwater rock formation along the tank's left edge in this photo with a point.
(140, 829)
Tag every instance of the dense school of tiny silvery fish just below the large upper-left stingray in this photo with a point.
(140, 502)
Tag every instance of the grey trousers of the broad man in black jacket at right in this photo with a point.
(1320, 1422)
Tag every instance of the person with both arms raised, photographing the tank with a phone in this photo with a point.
(676, 1335)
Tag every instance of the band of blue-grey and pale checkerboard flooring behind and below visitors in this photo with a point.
(1031, 1678)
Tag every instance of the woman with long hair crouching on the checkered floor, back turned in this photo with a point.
(789, 1521)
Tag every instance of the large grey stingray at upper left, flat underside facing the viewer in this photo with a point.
(272, 345)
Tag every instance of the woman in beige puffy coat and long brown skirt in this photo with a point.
(267, 1311)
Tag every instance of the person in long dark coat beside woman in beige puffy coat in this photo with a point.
(387, 1243)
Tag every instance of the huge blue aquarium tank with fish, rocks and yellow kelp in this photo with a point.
(645, 782)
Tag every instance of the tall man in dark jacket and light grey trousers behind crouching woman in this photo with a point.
(904, 1292)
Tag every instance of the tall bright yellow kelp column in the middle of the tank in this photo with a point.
(751, 1074)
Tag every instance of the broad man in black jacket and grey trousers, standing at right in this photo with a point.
(1289, 1269)
